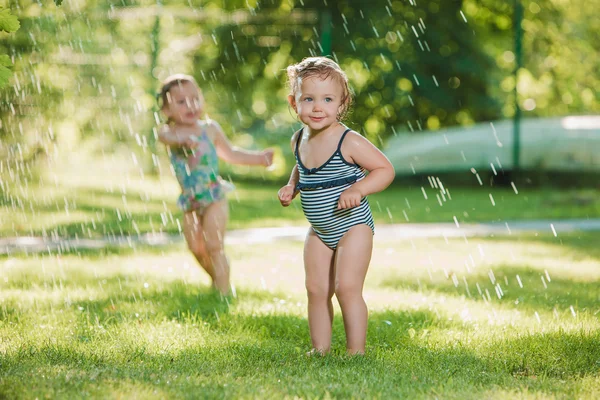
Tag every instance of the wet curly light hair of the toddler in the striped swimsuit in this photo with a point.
(323, 68)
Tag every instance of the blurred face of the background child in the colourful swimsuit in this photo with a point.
(184, 105)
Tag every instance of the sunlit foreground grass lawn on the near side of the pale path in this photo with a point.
(516, 317)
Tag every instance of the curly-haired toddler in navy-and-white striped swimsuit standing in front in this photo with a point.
(331, 161)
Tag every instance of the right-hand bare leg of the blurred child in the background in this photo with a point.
(214, 221)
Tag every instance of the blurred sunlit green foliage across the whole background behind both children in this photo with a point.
(412, 65)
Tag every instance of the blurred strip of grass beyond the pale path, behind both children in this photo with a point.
(113, 198)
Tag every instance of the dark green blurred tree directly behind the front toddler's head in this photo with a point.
(415, 66)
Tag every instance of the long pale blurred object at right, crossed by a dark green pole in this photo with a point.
(567, 144)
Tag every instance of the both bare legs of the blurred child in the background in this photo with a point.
(204, 235)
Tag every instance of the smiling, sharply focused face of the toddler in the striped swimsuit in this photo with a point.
(318, 102)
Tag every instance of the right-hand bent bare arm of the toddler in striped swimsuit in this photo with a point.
(359, 150)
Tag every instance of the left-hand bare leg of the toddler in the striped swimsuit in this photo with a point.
(318, 267)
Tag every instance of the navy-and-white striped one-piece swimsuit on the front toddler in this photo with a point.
(320, 189)
